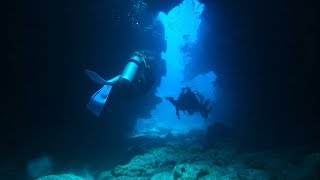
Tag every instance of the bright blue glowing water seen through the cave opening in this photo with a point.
(181, 27)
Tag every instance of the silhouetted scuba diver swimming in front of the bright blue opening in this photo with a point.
(191, 101)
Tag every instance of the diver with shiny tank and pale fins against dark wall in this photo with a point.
(136, 76)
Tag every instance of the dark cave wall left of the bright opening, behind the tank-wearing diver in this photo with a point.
(48, 45)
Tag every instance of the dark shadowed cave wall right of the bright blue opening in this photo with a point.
(265, 58)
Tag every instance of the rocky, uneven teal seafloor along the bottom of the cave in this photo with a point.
(188, 157)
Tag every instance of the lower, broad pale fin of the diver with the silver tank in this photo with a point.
(97, 101)
